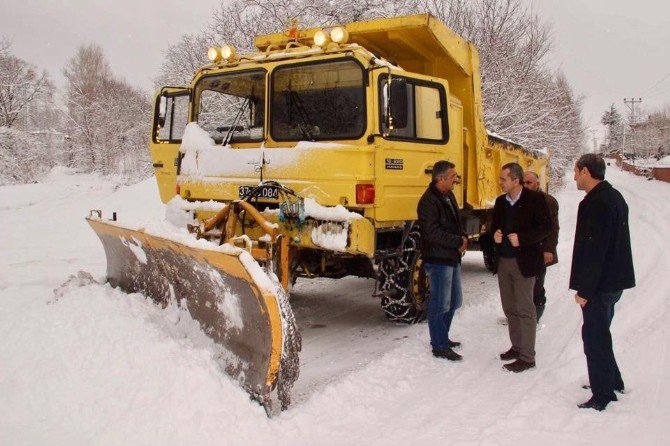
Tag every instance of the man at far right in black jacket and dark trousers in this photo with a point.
(602, 267)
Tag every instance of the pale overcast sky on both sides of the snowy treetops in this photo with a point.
(609, 49)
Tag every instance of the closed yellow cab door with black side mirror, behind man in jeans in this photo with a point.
(416, 139)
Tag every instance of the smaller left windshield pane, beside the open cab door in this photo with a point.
(231, 107)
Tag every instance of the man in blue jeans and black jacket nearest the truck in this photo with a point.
(442, 243)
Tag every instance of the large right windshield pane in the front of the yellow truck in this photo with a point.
(317, 101)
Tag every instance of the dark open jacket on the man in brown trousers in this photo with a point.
(532, 225)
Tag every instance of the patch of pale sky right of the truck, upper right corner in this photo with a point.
(611, 50)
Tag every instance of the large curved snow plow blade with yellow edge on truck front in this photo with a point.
(251, 322)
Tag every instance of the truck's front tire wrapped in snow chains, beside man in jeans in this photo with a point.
(403, 283)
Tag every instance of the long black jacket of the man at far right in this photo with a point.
(602, 259)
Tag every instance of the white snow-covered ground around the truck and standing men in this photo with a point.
(91, 365)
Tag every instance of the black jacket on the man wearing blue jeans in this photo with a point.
(440, 227)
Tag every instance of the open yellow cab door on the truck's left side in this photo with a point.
(171, 115)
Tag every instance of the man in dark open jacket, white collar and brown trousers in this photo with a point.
(520, 225)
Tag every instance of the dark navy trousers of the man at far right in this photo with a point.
(604, 374)
